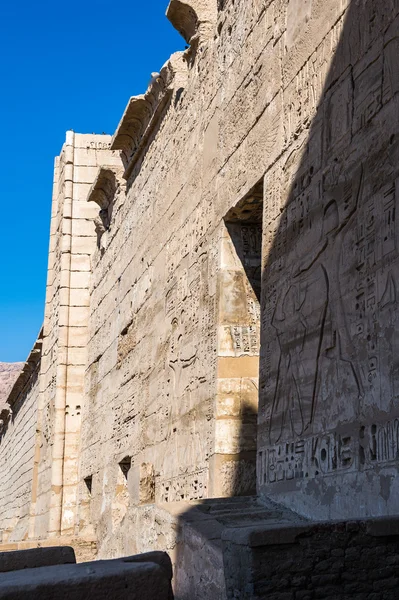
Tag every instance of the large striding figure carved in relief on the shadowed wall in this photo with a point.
(314, 299)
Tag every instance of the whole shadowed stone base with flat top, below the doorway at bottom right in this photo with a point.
(244, 549)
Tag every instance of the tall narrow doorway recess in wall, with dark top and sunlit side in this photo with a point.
(239, 342)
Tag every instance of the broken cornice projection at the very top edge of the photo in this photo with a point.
(193, 18)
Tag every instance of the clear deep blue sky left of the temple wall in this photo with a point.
(64, 65)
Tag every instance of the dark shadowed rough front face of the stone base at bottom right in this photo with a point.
(332, 561)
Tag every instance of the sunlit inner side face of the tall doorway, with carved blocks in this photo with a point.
(233, 463)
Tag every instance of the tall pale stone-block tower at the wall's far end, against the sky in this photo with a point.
(73, 239)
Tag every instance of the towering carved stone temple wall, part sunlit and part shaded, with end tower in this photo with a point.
(231, 250)
